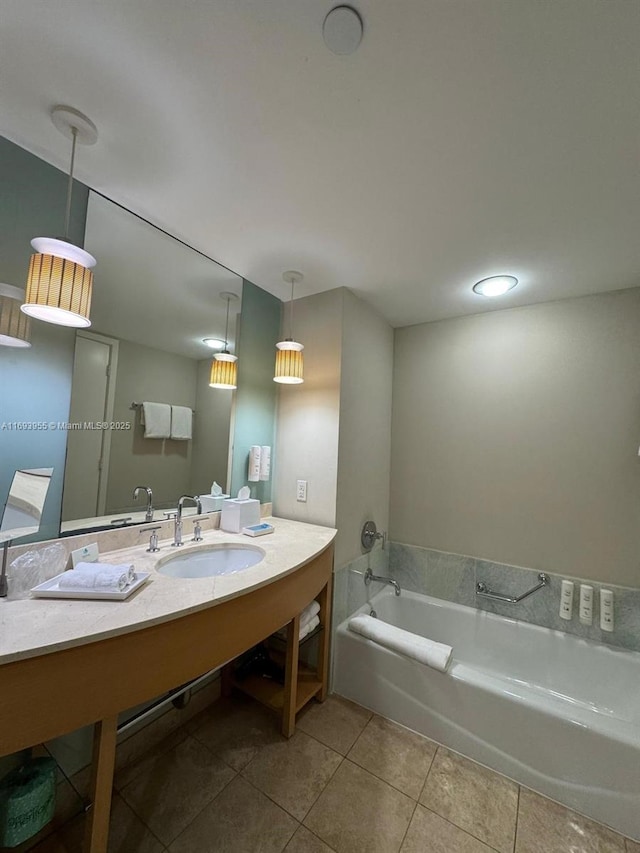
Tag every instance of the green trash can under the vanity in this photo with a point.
(27, 800)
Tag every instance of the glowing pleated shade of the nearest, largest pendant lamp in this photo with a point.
(59, 283)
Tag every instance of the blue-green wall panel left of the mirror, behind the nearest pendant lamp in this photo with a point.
(35, 383)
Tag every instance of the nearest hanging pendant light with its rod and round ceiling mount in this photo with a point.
(60, 279)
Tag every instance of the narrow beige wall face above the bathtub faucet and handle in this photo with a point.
(365, 425)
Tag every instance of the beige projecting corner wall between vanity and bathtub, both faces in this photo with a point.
(335, 430)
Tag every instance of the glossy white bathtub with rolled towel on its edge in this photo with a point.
(556, 713)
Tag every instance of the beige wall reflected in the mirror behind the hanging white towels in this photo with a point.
(165, 465)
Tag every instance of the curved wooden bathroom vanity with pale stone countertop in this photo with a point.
(66, 664)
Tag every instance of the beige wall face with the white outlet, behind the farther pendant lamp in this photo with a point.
(308, 415)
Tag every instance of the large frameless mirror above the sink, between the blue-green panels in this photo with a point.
(155, 302)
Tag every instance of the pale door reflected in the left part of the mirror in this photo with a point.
(88, 436)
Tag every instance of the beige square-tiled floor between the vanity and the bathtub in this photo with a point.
(347, 781)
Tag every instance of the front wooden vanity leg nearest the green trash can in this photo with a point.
(96, 833)
